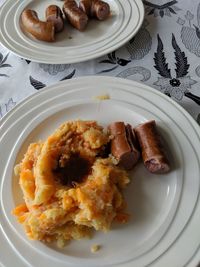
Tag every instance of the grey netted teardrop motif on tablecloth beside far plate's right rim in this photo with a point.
(140, 45)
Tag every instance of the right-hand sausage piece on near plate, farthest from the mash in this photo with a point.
(153, 153)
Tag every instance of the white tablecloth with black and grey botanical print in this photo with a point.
(164, 54)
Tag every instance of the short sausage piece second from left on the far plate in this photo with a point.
(54, 14)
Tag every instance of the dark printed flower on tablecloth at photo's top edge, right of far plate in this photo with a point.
(167, 9)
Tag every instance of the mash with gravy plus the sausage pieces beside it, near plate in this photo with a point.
(72, 183)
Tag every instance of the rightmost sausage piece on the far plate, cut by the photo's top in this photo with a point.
(95, 8)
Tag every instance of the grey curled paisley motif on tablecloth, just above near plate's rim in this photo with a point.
(128, 73)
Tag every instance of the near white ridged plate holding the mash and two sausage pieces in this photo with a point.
(165, 209)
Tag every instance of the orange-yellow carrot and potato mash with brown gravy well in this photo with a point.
(68, 188)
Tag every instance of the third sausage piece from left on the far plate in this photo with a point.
(75, 15)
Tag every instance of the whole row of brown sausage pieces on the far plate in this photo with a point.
(77, 15)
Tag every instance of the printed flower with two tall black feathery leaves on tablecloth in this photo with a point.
(178, 85)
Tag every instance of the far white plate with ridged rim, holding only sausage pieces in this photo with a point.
(71, 45)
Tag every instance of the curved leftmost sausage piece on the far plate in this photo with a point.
(44, 31)
